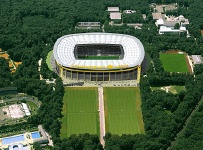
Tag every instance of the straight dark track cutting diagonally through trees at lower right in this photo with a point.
(186, 123)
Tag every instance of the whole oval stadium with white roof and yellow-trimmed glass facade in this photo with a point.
(98, 57)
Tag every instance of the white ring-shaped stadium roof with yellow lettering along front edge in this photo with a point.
(132, 47)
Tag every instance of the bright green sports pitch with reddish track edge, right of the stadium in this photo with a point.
(174, 62)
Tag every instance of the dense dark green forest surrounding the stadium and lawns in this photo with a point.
(28, 31)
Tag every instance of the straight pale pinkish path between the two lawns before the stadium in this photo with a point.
(101, 115)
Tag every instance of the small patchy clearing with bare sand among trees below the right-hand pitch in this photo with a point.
(172, 89)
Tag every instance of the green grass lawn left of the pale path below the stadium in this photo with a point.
(80, 111)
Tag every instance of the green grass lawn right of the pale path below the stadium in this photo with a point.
(123, 114)
